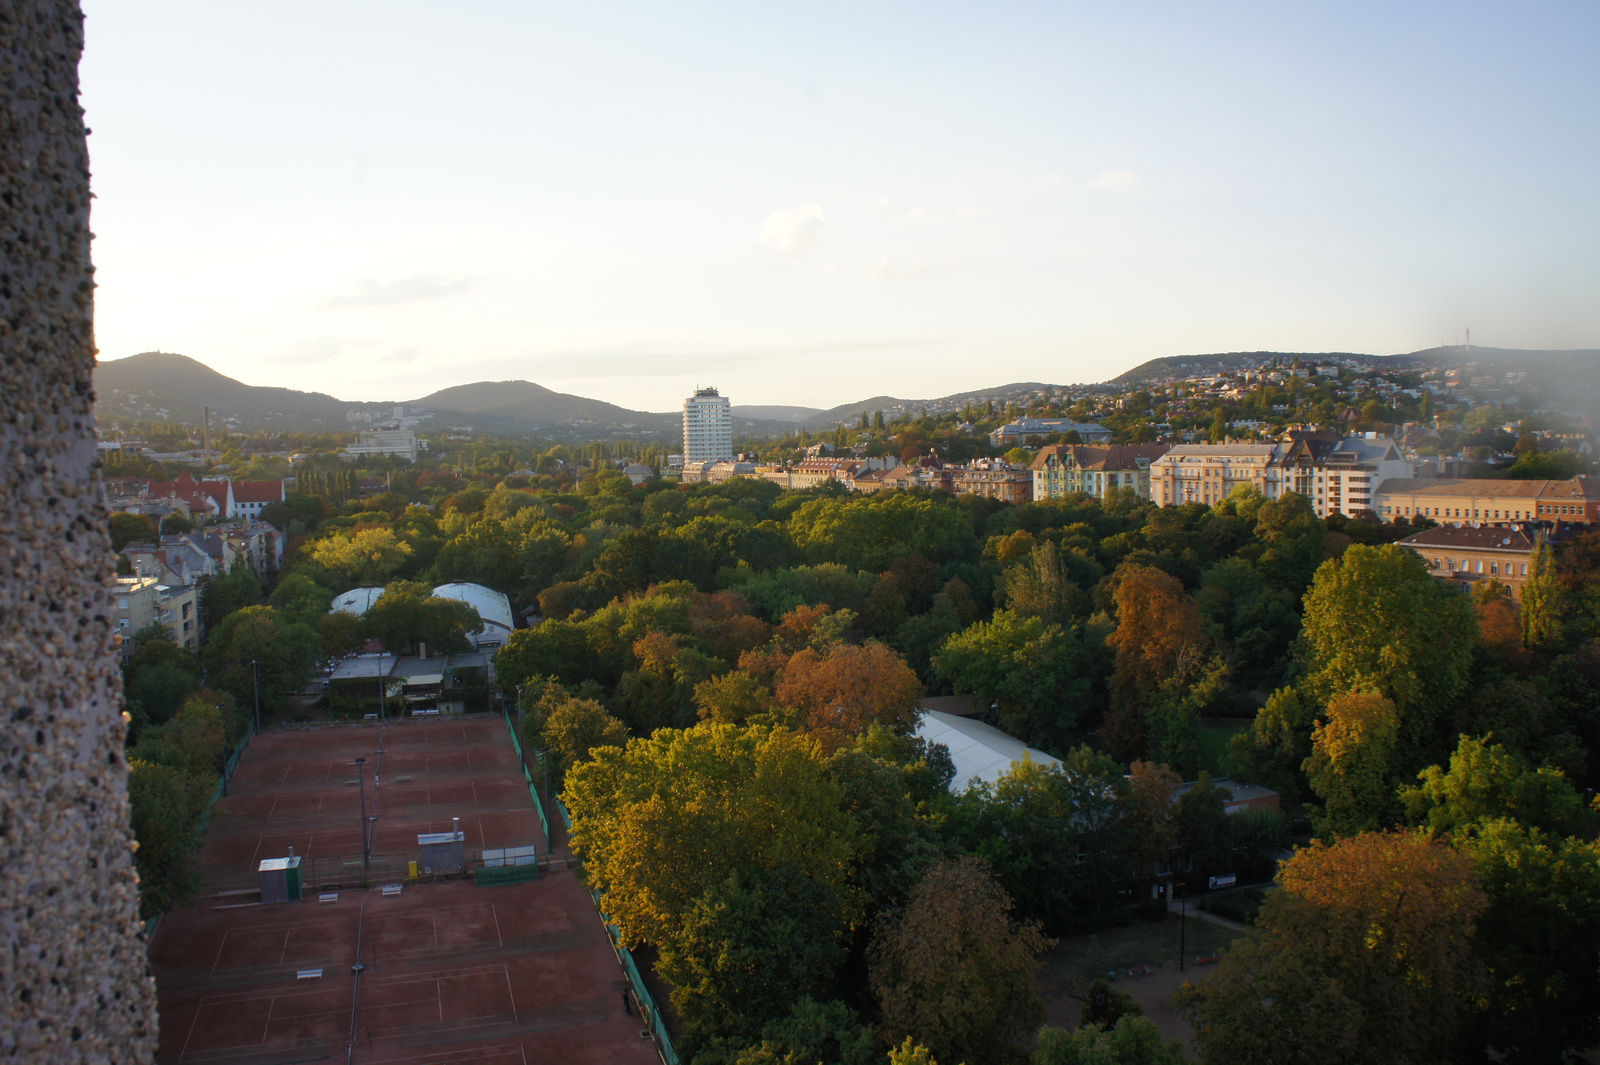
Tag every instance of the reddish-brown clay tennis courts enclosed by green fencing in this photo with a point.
(452, 971)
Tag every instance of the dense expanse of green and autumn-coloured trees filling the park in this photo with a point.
(727, 682)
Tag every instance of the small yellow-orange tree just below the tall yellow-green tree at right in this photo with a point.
(1351, 764)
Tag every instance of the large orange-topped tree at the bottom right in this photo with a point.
(1366, 955)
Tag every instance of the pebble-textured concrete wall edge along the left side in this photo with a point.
(73, 965)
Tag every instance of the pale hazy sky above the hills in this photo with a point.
(815, 204)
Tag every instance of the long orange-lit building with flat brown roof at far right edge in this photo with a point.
(1575, 501)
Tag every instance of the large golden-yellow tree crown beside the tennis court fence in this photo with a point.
(674, 813)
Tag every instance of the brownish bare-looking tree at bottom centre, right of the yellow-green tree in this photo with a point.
(954, 971)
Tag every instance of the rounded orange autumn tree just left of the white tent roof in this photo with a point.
(849, 688)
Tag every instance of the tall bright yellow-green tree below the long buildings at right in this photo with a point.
(1377, 621)
